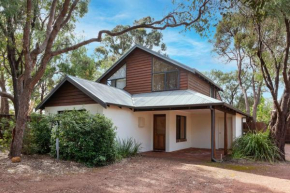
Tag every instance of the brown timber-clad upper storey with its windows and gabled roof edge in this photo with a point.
(142, 70)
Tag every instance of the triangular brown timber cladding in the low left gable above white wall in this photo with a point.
(68, 94)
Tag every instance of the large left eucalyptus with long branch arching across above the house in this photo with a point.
(41, 25)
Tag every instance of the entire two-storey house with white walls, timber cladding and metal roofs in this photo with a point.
(159, 102)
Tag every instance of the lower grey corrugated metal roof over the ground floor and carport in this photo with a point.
(106, 95)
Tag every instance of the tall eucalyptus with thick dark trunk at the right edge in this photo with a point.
(271, 29)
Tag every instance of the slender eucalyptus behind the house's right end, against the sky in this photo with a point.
(231, 42)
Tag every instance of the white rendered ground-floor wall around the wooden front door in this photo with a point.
(198, 125)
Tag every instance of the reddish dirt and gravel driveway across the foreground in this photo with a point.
(146, 173)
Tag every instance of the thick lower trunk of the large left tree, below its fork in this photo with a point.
(16, 145)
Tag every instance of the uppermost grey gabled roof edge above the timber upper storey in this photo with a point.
(178, 64)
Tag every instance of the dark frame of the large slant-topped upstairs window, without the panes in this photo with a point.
(165, 76)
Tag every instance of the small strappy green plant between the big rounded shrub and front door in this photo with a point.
(127, 148)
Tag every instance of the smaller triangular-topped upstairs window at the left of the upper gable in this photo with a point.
(118, 79)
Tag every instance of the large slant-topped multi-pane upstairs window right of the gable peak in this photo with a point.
(165, 76)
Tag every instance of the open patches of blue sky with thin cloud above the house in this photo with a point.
(186, 47)
